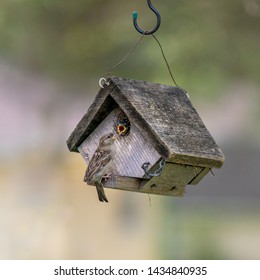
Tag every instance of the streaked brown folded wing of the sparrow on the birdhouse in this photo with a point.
(97, 163)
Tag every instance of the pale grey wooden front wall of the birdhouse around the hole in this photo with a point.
(130, 151)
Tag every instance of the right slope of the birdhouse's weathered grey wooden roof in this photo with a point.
(171, 120)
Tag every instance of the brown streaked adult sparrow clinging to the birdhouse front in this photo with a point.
(99, 164)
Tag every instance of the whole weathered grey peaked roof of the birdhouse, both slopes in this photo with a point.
(161, 112)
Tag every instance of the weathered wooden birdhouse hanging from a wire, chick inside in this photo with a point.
(163, 144)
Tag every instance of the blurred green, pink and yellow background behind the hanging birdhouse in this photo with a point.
(52, 54)
